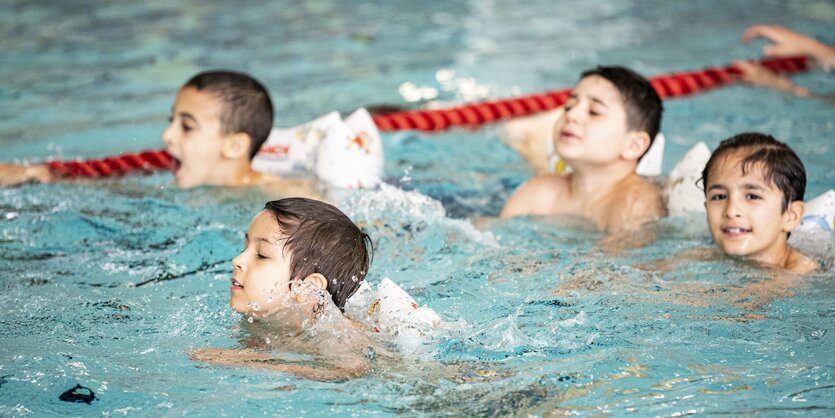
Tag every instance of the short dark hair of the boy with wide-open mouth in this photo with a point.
(247, 106)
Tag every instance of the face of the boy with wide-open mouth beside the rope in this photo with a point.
(194, 137)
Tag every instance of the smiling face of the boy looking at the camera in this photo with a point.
(745, 213)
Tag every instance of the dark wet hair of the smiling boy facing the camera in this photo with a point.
(781, 166)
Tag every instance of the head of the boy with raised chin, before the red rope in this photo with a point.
(613, 114)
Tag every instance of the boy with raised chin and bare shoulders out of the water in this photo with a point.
(608, 123)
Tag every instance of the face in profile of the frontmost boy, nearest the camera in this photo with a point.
(261, 273)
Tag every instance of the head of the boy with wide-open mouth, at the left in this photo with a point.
(219, 121)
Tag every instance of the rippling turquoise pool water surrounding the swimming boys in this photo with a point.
(567, 328)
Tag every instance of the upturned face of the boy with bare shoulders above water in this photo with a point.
(593, 127)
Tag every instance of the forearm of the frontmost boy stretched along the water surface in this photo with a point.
(348, 369)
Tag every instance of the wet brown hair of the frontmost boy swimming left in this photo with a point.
(322, 239)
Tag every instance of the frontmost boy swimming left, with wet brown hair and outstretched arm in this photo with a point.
(302, 259)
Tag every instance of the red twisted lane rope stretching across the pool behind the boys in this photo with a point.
(469, 115)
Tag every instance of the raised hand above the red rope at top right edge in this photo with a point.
(788, 42)
